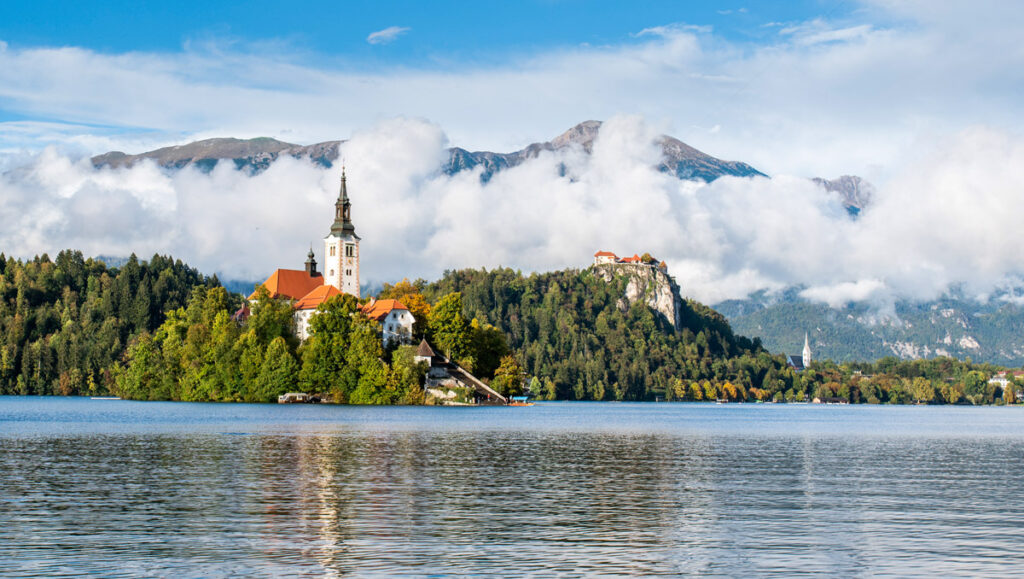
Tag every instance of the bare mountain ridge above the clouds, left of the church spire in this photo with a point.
(253, 154)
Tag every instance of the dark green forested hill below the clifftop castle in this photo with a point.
(577, 334)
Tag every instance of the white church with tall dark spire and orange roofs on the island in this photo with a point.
(309, 288)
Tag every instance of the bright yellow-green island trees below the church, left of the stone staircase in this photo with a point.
(199, 354)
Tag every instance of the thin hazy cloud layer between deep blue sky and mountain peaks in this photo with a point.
(829, 98)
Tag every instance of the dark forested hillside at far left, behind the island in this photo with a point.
(64, 323)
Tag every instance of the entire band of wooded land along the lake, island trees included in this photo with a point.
(161, 330)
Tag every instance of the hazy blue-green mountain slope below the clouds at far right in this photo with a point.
(954, 325)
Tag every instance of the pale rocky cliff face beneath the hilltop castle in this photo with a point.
(648, 285)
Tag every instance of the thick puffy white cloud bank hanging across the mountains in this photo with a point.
(953, 217)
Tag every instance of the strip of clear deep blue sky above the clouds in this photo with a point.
(439, 32)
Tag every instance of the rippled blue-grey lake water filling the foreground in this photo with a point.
(117, 488)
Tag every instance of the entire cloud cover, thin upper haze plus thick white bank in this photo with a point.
(869, 95)
